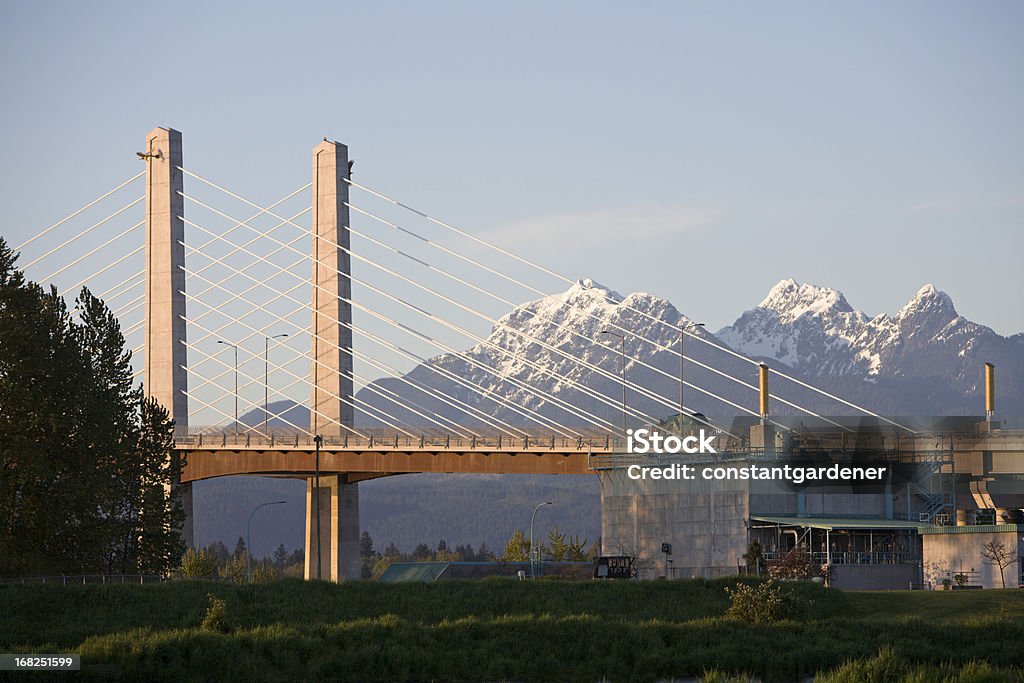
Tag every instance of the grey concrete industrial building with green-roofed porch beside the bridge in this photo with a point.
(953, 486)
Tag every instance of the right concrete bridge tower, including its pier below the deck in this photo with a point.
(331, 409)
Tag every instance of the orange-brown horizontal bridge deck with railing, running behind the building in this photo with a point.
(371, 455)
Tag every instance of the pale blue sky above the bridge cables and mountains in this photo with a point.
(871, 147)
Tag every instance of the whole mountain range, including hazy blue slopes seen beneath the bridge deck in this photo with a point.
(924, 360)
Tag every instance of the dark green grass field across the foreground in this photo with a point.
(502, 630)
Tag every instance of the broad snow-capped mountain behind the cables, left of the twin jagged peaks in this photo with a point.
(552, 358)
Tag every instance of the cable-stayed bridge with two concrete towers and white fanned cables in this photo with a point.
(239, 311)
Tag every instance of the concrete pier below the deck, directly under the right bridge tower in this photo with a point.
(339, 507)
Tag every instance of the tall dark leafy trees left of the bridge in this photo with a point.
(87, 460)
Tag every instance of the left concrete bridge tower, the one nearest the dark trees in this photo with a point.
(165, 378)
